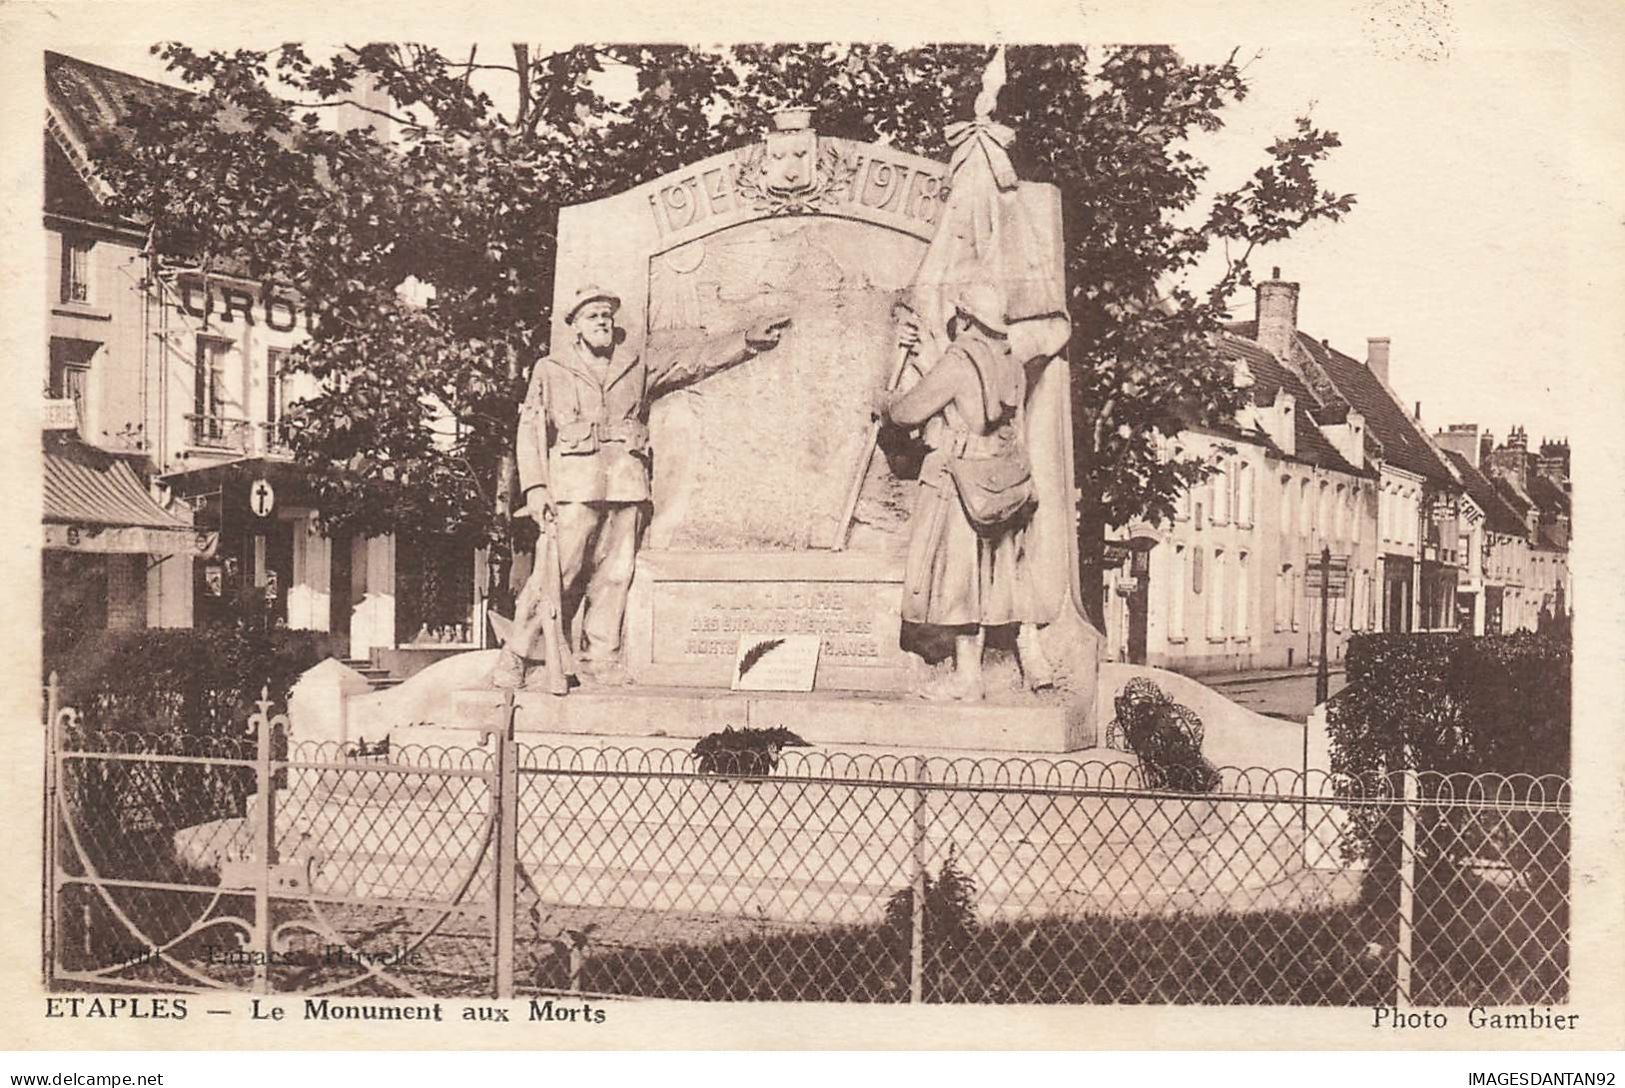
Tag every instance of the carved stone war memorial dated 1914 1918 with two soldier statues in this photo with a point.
(726, 478)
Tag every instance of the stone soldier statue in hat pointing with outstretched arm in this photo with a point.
(584, 464)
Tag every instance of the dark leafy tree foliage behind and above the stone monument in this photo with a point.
(467, 197)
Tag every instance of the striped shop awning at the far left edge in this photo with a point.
(95, 503)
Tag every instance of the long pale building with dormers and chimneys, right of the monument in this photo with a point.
(1324, 460)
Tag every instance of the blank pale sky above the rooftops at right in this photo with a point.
(1460, 244)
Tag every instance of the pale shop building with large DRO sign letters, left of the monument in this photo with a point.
(188, 376)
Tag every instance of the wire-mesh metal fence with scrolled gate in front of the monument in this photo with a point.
(258, 865)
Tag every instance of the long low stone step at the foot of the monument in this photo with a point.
(825, 719)
